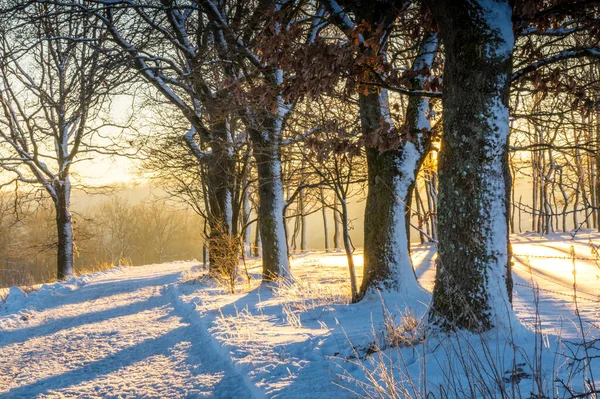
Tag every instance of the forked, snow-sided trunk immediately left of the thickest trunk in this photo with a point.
(391, 178)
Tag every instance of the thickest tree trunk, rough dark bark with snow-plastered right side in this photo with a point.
(473, 272)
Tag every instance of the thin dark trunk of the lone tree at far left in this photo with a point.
(64, 227)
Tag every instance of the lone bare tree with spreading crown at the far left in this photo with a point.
(54, 85)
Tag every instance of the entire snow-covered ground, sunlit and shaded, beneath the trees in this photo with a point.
(166, 331)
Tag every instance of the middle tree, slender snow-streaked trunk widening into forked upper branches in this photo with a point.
(248, 37)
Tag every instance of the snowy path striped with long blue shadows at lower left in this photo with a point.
(119, 336)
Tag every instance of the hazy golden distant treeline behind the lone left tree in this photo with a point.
(115, 232)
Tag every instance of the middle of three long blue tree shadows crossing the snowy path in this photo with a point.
(56, 325)
